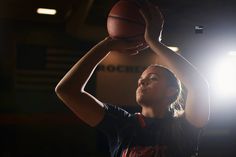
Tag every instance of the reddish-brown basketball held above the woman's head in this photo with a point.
(126, 22)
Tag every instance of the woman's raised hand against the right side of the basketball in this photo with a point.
(153, 19)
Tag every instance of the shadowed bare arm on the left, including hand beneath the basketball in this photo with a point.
(71, 87)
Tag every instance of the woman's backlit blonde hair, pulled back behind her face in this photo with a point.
(176, 101)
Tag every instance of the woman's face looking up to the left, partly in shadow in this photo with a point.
(152, 87)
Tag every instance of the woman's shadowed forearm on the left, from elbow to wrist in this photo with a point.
(77, 77)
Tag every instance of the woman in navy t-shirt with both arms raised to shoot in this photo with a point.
(159, 130)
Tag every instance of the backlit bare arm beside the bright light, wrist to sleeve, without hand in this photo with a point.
(197, 103)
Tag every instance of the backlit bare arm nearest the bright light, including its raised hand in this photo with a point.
(197, 103)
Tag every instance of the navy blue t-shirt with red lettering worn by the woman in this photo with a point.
(133, 135)
